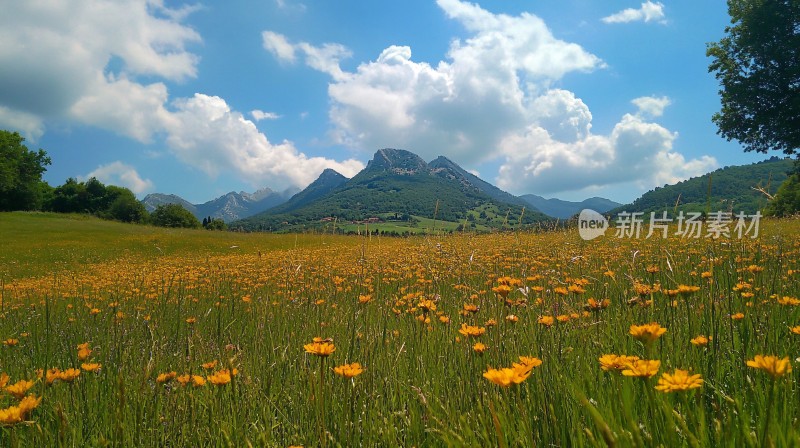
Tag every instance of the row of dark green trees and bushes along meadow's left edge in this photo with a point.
(22, 188)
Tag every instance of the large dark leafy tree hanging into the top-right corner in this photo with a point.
(758, 65)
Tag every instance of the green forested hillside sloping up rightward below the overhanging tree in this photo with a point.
(726, 189)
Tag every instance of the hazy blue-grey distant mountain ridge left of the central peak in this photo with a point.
(228, 207)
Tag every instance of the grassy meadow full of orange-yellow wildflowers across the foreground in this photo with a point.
(123, 335)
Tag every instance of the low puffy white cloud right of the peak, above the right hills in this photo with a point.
(636, 151)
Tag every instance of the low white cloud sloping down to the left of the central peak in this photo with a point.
(205, 133)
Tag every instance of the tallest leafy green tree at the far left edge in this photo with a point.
(21, 185)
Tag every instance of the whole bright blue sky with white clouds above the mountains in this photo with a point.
(561, 98)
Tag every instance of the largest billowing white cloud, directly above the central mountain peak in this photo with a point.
(461, 107)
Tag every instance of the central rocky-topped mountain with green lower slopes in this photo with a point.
(399, 185)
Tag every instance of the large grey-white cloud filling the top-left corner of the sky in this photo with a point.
(55, 55)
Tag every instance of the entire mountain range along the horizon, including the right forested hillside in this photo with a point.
(397, 186)
